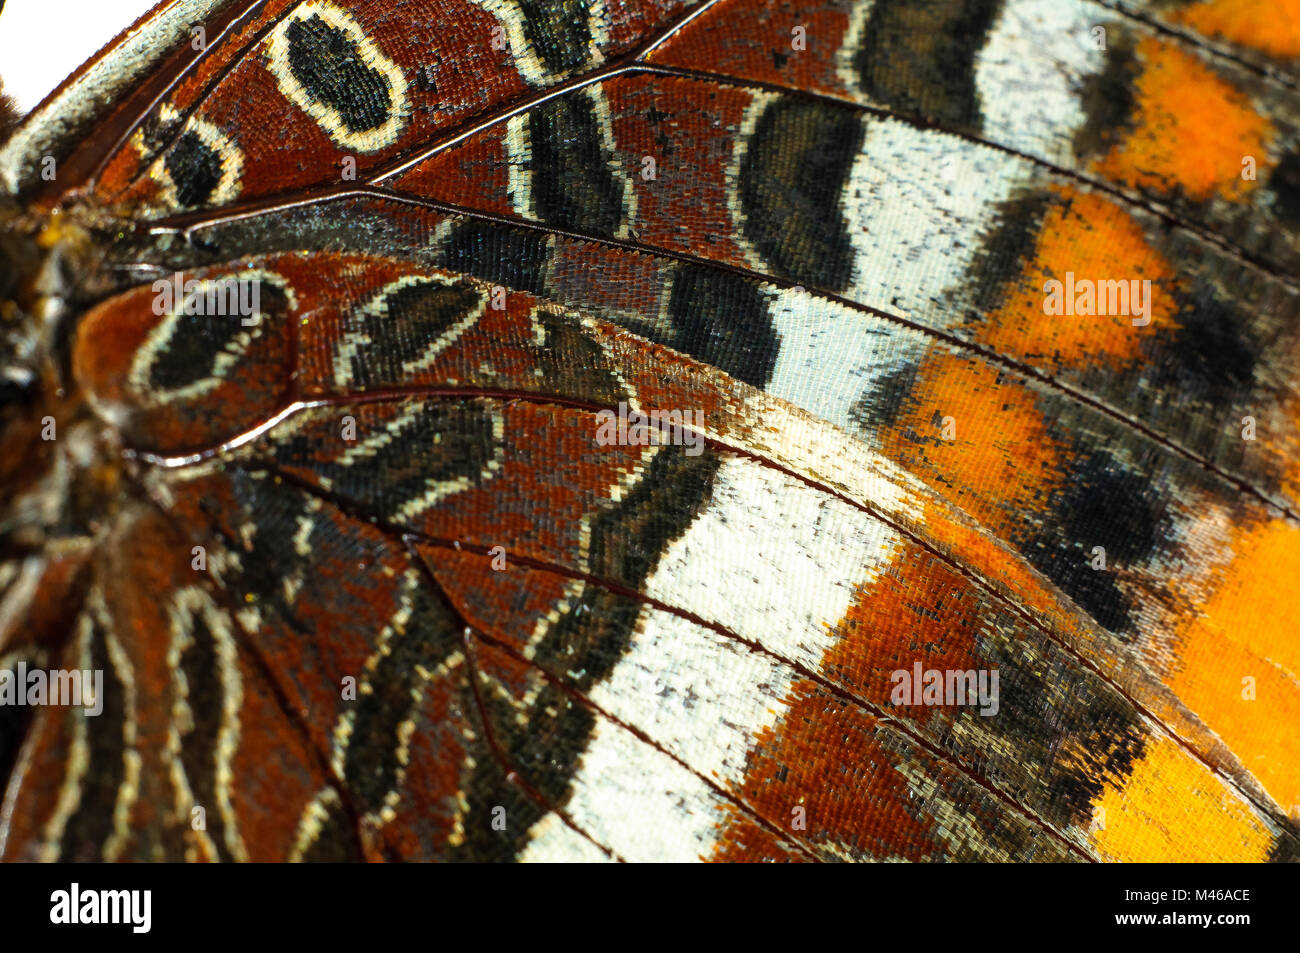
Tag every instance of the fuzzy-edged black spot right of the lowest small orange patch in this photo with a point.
(1103, 504)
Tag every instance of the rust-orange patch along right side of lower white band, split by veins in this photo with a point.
(826, 763)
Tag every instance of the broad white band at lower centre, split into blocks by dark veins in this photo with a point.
(774, 561)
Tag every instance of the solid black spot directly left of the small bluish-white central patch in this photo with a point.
(722, 319)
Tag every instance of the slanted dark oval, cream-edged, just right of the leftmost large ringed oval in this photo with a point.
(409, 323)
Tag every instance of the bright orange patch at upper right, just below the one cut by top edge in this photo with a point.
(1193, 131)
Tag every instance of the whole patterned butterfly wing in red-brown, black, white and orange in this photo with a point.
(656, 431)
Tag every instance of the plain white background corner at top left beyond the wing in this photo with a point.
(42, 42)
